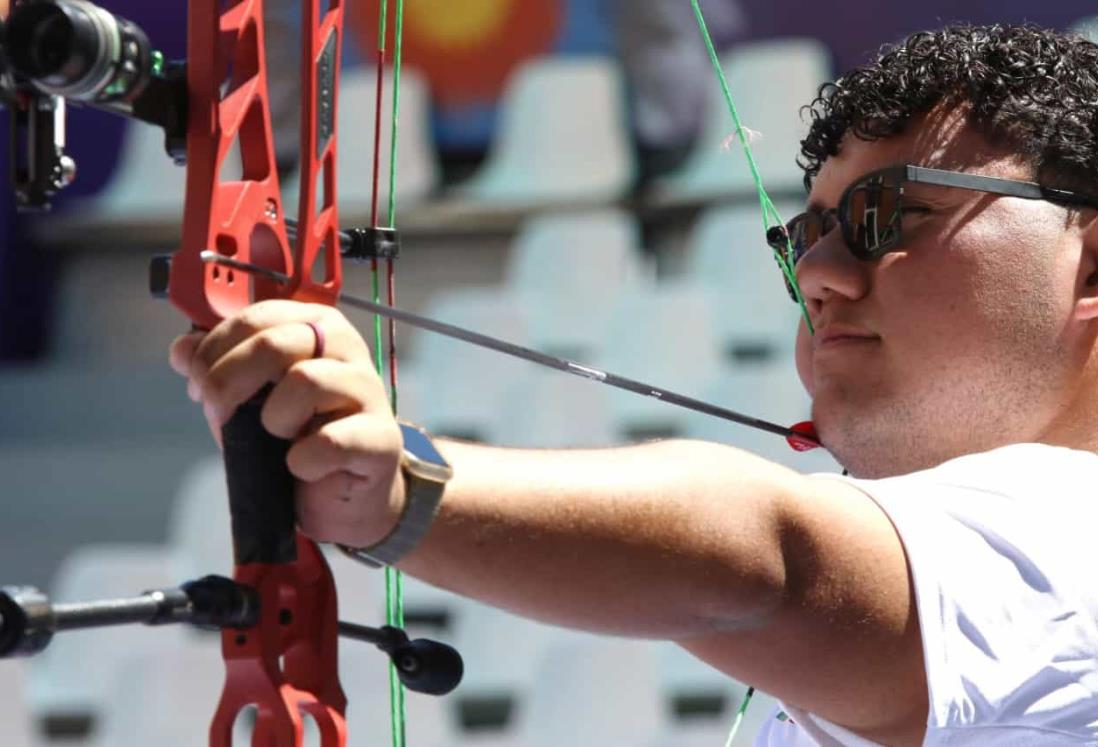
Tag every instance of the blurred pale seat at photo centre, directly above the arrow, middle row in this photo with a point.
(567, 269)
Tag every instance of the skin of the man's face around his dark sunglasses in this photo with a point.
(962, 340)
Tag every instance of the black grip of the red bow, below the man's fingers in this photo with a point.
(261, 488)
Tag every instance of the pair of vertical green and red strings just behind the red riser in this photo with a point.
(395, 581)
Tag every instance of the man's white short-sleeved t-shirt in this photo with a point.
(1004, 555)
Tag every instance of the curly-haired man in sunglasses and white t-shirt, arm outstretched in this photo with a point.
(944, 593)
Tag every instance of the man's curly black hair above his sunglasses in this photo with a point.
(1033, 90)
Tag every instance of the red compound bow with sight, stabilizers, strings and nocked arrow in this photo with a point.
(278, 614)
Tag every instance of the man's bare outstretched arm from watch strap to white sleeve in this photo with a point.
(797, 585)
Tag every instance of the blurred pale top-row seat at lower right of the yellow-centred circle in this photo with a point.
(563, 138)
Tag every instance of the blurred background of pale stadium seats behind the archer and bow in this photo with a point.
(566, 181)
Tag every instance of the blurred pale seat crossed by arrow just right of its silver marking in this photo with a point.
(664, 337)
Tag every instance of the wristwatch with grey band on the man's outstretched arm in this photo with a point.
(427, 474)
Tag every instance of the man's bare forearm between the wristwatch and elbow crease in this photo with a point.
(666, 540)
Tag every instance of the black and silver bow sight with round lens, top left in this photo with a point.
(61, 51)
